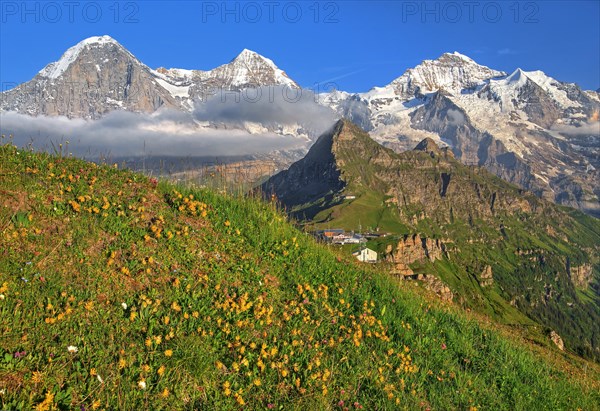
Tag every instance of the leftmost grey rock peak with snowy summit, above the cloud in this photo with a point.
(91, 79)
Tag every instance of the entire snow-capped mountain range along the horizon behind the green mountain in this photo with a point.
(526, 127)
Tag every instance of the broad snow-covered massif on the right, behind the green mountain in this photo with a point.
(526, 127)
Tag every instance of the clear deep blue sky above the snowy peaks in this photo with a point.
(354, 44)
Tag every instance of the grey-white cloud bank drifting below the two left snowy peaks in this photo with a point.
(217, 127)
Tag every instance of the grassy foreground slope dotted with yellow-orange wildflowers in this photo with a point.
(118, 292)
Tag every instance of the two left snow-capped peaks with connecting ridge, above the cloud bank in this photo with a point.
(99, 75)
